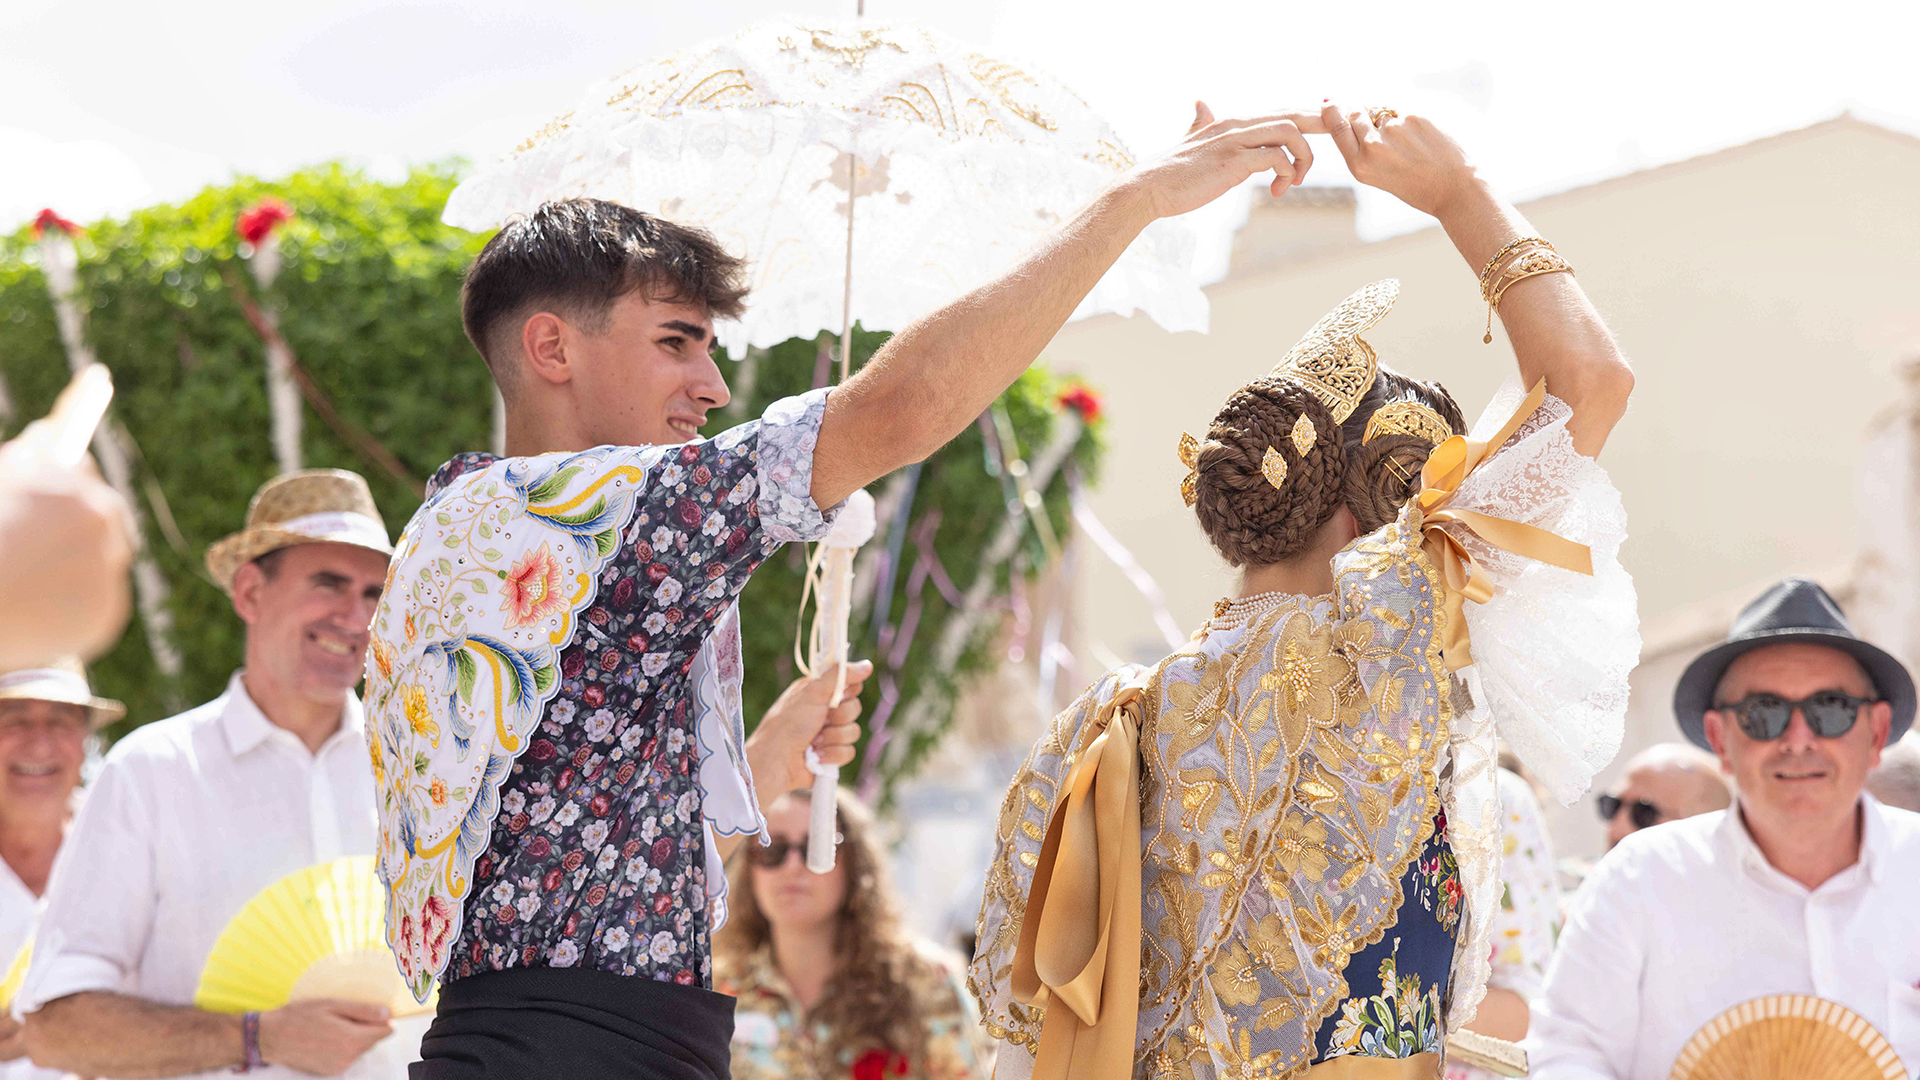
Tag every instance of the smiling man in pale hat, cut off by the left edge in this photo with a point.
(47, 716)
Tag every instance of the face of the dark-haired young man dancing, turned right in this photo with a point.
(650, 378)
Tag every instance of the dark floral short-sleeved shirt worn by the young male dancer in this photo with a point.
(598, 854)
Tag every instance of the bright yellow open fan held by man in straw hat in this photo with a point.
(316, 933)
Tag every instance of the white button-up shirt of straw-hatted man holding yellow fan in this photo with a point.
(187, 822)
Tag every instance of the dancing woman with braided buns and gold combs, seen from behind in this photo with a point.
(1278, 850)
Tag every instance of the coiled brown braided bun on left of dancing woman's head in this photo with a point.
(1243, 514)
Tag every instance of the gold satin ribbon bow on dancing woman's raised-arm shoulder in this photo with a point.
(1449, 466)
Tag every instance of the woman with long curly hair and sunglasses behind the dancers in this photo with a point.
(830, 985)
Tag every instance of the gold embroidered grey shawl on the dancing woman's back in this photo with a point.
(1287, 779)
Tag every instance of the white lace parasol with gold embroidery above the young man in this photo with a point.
(961, 162)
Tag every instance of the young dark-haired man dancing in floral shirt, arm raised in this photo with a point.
(558, 637)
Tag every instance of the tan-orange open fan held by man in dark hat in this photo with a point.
(1788, 1037)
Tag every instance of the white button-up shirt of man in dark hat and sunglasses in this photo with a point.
(1689, 920)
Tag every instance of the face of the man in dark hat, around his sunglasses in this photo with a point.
(1800, 775)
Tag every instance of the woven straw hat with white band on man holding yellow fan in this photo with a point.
(314, 506)
